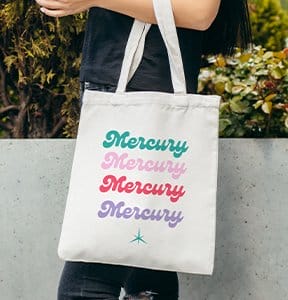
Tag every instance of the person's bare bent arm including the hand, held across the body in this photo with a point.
(193, 14)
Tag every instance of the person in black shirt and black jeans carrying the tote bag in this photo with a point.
(203, 27)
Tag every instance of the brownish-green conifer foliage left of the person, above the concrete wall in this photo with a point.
(39, 66)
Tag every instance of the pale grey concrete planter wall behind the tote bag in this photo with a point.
(252, 224)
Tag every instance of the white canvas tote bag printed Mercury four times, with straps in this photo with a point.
(144, 176)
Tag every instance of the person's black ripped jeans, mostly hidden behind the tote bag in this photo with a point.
(83, 280)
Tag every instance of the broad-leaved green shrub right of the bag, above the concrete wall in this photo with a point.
(254, 90)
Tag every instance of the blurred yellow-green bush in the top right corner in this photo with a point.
(269, 24)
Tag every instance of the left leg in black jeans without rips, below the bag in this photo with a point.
(93, 281)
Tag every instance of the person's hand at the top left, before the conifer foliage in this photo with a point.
(61, 8)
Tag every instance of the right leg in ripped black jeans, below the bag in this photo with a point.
(164, 283)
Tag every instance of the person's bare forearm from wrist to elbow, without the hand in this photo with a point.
(194, 14)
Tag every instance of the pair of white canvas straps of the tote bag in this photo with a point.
(136, 42)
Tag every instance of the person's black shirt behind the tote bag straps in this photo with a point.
(103, 51)
